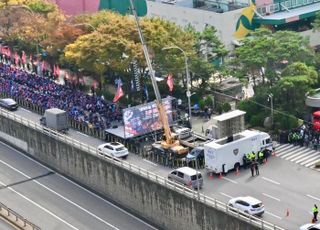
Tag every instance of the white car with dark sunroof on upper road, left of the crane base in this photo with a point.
(113, 149)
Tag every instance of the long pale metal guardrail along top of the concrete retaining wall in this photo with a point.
(149, 175)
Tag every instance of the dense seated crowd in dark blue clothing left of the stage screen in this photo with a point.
(93, 110)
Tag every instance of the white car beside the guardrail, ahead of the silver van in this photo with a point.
(248, 205)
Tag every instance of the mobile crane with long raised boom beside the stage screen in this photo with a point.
(169, 141)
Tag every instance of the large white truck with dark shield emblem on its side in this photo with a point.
(227, 153)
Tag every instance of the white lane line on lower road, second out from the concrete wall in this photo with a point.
(59, 195)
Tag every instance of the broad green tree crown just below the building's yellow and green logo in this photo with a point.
(264, 53)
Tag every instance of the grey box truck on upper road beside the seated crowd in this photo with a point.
(55, 119)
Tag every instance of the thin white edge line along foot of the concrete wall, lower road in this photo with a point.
(82, 188)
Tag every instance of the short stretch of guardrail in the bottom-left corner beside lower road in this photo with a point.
(16, 218)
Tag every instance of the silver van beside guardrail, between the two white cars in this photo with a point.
(187, 176)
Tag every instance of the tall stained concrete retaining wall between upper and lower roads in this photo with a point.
(165, 207)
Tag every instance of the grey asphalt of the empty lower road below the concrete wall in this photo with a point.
(52, 201)
